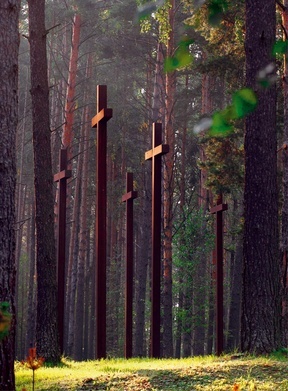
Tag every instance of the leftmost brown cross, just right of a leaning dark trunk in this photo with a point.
(61, 177)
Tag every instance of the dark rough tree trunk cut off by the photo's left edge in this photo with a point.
(9, 45)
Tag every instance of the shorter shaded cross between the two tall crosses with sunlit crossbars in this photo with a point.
(128, 198)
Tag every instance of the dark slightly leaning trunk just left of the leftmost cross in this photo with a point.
(46, 329)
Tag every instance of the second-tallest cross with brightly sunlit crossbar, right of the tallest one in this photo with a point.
(158, 149)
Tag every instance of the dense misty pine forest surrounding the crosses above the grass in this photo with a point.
(214, 74)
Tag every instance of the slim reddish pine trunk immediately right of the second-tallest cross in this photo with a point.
(168, 194)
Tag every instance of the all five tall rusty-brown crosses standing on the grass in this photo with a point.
(158, 149)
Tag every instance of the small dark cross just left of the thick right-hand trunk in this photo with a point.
(218, 210)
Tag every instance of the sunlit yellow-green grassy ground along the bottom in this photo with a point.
(233, 373)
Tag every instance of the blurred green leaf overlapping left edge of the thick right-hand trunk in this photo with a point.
(244, 102)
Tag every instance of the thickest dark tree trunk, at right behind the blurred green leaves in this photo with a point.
(261, 305)
